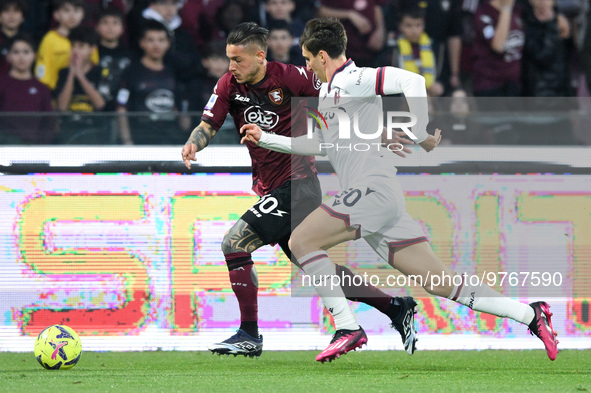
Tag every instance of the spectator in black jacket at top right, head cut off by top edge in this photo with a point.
(546, 69)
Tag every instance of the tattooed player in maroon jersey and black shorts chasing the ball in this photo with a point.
(258, 92)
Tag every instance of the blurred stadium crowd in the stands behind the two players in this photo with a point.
(86, 59)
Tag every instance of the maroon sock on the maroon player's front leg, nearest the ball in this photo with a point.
(241, 274)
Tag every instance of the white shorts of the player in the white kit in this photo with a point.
(378, 212)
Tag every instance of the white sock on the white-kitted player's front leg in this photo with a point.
(321, 269)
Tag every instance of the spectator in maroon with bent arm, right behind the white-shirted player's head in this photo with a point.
(364, 23)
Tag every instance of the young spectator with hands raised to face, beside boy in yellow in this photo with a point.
(76, 90)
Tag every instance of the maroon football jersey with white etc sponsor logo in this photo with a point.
(268, 105)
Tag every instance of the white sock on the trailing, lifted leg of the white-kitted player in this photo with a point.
(485, 299)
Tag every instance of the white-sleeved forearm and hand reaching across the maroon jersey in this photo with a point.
(301, 145)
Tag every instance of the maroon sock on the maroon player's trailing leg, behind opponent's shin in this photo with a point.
(365, 293)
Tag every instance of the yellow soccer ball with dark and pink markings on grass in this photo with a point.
(58, 347)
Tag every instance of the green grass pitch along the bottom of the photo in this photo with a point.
(297, 371)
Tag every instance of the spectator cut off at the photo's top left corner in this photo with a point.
(12, 16)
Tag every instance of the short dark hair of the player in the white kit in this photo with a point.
(327, 34)
